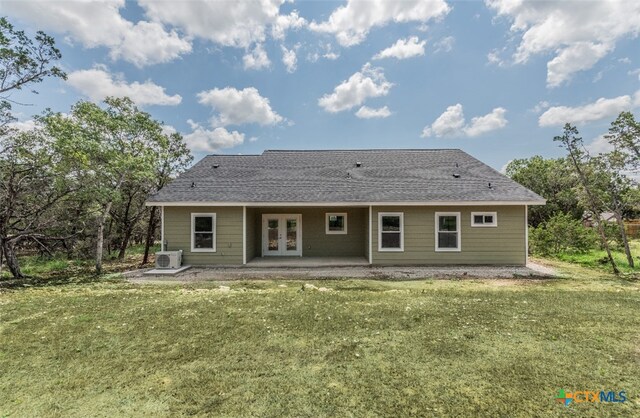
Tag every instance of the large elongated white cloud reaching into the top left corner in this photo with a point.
(96, 24)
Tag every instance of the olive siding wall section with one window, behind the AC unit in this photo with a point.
(177, 234)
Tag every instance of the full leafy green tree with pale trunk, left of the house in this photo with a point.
(117, 147)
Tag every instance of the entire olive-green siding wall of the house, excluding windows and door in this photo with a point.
(501, 245)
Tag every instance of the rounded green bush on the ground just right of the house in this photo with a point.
(561, 234)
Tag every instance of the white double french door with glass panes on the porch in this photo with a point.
(281, 235)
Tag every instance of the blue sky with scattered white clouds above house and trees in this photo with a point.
(497, 79)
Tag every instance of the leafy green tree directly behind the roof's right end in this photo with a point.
(553, 179)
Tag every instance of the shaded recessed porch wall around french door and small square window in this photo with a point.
(315, 241)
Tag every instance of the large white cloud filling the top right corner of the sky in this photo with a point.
(580, 34)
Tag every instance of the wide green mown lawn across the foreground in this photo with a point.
(366, 348)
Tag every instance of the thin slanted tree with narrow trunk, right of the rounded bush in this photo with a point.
(580, 162)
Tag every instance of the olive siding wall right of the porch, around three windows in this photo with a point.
(501, 245)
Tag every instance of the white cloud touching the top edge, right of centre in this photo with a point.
(352, 22)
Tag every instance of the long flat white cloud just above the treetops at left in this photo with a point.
(97, 84)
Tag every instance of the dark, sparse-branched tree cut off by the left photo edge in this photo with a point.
(23, 167)
